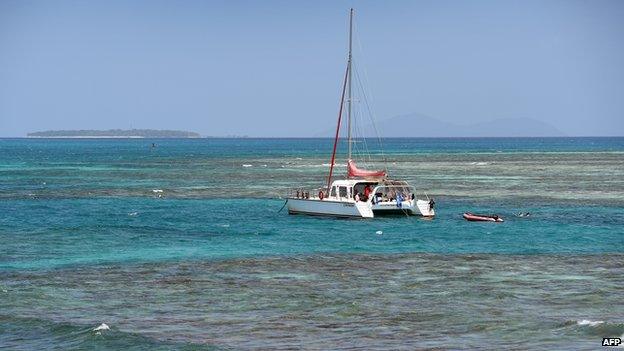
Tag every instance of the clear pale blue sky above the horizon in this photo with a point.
(274, 68)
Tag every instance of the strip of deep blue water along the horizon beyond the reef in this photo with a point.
(39, 149)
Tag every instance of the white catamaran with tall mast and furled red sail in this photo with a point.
(362, 193)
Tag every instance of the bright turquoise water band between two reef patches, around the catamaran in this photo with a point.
(86, 231)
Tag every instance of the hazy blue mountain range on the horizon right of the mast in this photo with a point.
(418, 125)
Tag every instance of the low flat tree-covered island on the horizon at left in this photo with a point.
(114, 133)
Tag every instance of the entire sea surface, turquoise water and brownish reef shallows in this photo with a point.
(182, 246)
